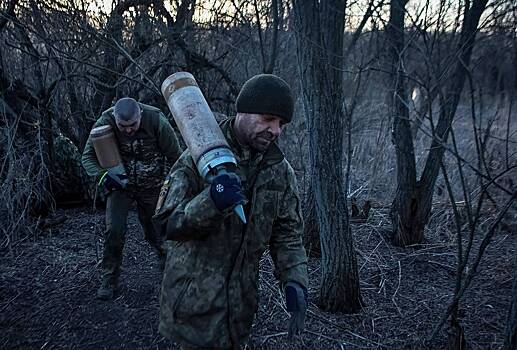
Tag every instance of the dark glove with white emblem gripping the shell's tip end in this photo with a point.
(226, 191)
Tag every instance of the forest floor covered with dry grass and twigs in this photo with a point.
(48, 285)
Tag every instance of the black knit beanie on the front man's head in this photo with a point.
(266, 94)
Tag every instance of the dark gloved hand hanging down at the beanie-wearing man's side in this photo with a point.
(296, 303)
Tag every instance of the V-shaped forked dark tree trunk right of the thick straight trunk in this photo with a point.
(412, 204)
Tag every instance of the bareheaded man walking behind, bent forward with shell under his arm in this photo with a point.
(148, 147)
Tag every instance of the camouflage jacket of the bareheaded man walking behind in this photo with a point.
(147, 156)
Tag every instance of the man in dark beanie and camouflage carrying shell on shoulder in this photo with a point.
(209, 291)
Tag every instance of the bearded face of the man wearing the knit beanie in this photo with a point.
(258, 131)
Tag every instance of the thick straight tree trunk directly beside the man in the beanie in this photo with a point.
(320, 27)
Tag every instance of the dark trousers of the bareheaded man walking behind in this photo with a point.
(117, 209)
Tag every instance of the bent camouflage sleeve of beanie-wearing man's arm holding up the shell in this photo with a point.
(188, 212)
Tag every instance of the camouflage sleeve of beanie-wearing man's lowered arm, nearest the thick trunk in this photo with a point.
(285, 244)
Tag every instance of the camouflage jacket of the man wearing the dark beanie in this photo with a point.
(209, 291)
